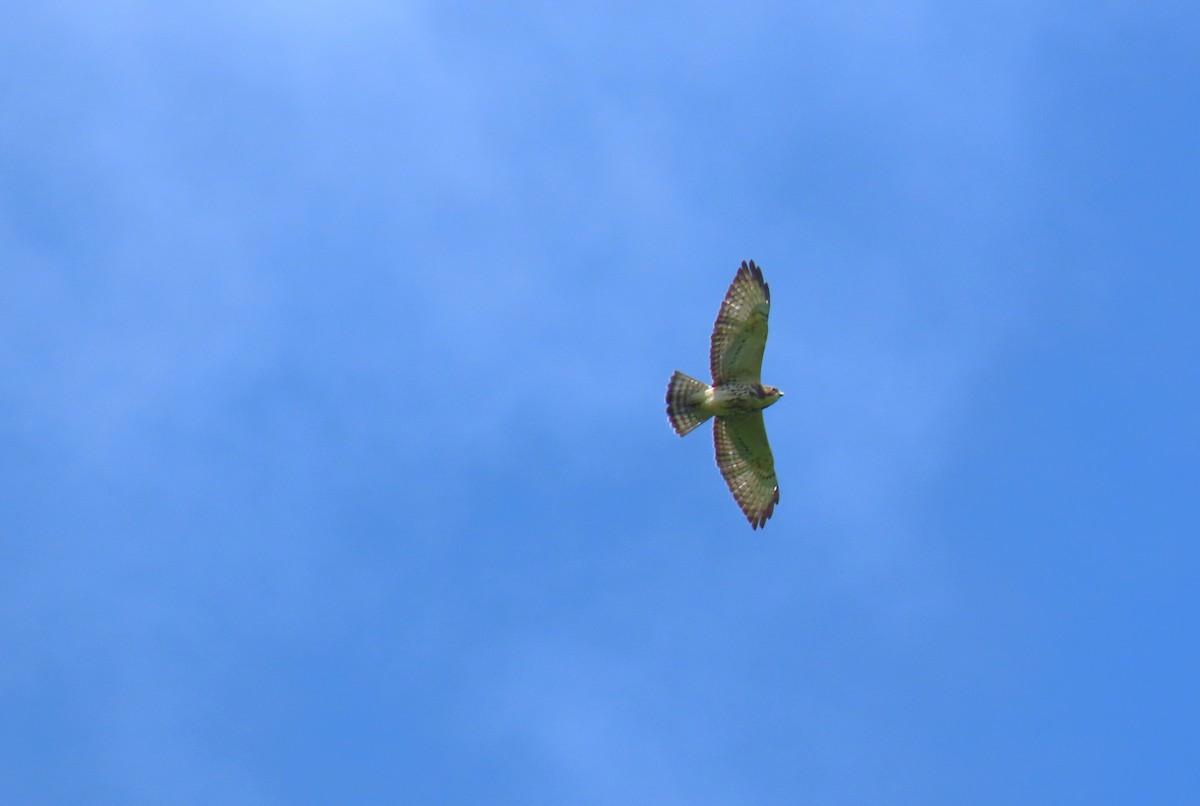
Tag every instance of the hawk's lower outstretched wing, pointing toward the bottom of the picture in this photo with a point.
(746, 461)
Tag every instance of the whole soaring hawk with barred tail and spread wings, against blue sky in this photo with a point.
(737, 396)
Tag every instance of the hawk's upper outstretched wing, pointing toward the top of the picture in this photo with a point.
(740, 335)
